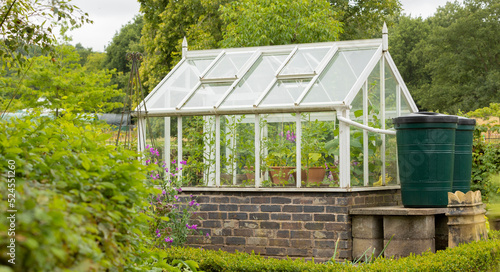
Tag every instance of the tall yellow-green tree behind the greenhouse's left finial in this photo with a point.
(166, 22)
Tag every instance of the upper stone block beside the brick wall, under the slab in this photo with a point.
(367, 226)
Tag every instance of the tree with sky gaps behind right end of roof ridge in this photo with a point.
(363, 19)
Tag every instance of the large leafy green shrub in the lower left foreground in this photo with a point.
(76, 197)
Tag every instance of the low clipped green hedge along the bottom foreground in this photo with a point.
(475, 256)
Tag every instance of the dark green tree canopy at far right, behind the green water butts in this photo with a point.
(451, 61)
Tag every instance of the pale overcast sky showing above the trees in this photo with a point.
(110, 15)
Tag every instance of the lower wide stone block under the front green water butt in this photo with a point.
(403, 247)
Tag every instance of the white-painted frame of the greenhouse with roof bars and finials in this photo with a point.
(230, 67)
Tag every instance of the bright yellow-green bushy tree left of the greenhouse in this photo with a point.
(60, 83)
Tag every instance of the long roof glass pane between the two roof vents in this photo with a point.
(255, 81)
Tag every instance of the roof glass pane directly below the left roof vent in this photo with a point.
(207, 95)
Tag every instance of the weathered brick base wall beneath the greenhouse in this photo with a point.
(283, 224)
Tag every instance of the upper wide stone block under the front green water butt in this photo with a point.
(409, 227)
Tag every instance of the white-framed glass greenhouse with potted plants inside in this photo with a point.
(301, 115)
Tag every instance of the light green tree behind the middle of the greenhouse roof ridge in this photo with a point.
(274, 22)
